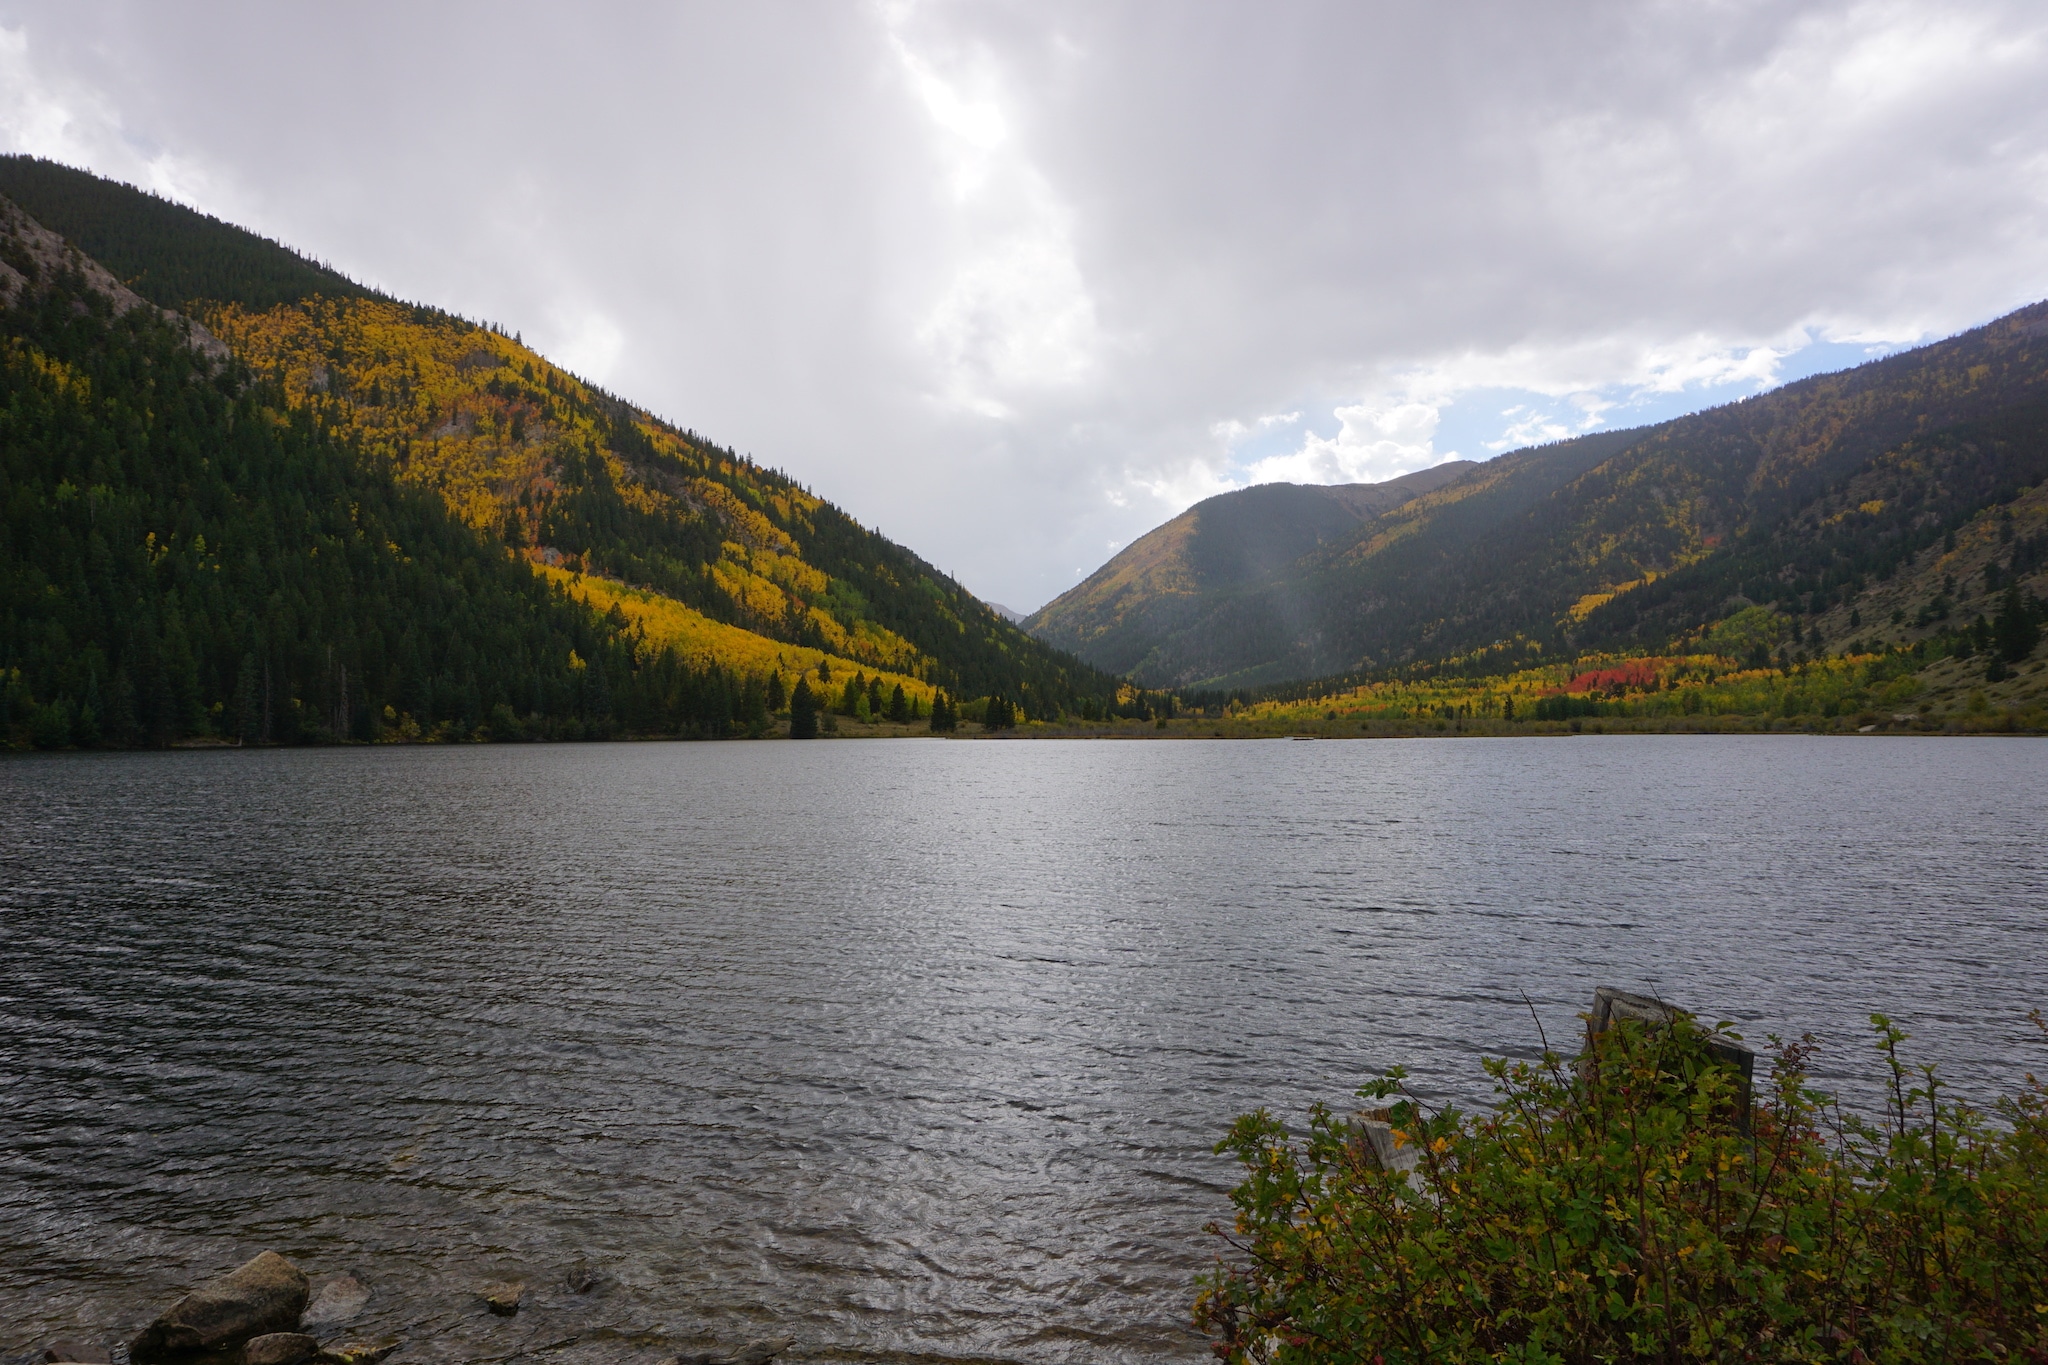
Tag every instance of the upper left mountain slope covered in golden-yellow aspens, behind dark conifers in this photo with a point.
(728, 558)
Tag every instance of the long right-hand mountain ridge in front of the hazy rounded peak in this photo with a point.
(1549, 545)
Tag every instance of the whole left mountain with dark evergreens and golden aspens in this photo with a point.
(620, 531)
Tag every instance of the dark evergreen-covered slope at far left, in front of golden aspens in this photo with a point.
(183, 556)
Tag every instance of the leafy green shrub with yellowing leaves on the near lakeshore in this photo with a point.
(1619, 1208)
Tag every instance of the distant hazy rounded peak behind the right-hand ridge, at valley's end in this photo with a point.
(1160, 599)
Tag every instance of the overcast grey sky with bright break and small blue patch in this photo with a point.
(1019, 281)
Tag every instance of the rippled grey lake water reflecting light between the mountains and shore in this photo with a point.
(910, 1049)
